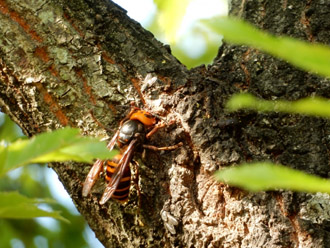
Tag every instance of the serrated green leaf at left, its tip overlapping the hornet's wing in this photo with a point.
(60, 145)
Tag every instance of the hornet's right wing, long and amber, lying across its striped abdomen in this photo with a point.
(118, 173)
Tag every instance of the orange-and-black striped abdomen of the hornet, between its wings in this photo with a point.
(122, 191)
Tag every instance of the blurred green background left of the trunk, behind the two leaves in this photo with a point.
(38, 181)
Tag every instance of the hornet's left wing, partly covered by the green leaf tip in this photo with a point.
(96, 169)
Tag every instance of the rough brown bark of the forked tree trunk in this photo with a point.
(60, 60)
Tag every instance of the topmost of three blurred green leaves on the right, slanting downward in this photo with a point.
(310, 57)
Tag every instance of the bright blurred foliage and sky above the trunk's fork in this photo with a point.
(178, 23)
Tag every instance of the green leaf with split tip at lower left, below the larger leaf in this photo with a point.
(16, 206)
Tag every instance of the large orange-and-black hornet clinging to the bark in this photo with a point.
(137, 127)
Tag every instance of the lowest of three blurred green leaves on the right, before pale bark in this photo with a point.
(267, 176)
